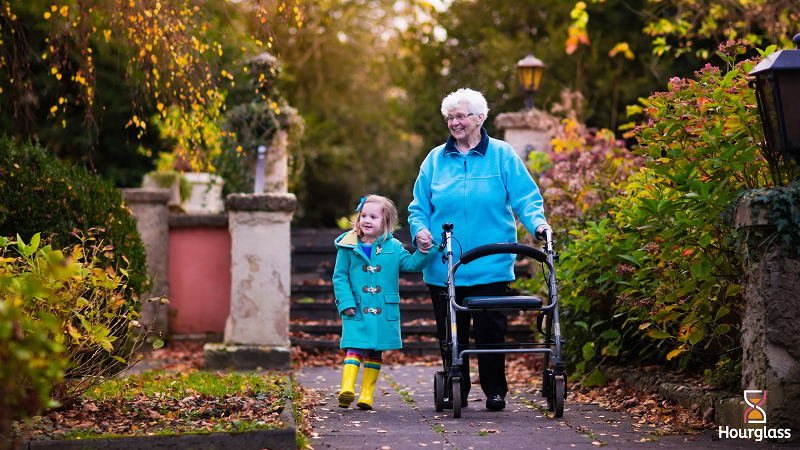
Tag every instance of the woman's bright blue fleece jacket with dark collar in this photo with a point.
(478, 193)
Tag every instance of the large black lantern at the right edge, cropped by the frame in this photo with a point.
(777, 87)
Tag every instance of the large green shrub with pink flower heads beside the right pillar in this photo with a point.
(660, 276)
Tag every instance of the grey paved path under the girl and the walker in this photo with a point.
(404, 418)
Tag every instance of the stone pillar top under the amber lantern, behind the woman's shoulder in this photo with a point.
(528, 131)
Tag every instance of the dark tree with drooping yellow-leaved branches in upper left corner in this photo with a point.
(71, 72)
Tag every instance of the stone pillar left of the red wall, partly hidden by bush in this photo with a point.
(150, 208)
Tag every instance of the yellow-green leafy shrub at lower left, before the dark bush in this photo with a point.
(68, 298)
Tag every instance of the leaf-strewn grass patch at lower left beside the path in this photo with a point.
(168, 403)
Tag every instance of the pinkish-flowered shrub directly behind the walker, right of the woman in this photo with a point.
(584, 171)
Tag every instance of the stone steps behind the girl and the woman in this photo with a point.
(315, 322)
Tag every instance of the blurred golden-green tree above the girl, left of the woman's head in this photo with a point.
(337, 71)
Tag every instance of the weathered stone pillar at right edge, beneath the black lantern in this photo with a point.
(771, 321)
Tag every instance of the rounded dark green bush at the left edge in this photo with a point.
(38, 193)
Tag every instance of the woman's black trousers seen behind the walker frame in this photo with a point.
(490, 328)
